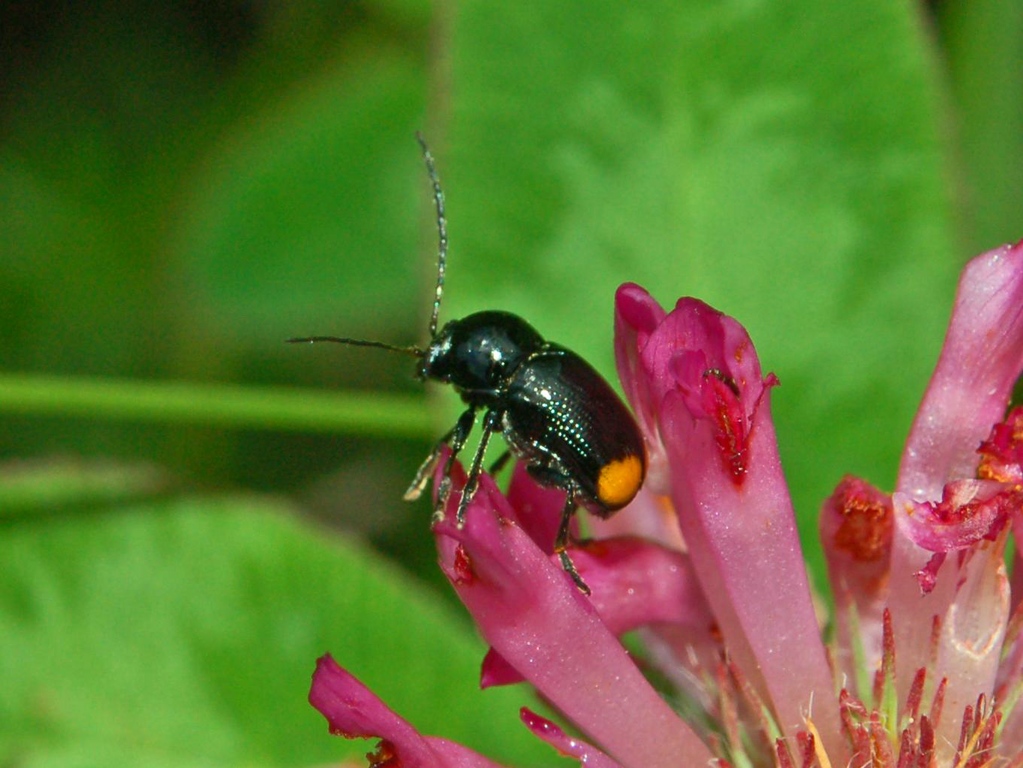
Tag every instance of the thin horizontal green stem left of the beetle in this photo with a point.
(265, 409)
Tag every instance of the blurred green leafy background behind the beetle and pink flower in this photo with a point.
(192, 511)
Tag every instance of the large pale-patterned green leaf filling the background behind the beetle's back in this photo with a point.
(780, 161)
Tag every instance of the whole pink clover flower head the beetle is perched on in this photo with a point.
(925, 667)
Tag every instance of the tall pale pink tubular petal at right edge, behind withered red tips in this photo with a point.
(981, 362)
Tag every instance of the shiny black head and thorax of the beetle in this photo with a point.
(478, 353)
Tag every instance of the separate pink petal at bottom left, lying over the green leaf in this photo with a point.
(352, 711)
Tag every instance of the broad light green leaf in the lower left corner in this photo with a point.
(184, 631)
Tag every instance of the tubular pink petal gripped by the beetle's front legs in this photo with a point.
(529, 611)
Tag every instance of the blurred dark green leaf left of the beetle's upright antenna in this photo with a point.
(306, 218)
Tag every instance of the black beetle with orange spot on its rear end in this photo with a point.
(557, 415)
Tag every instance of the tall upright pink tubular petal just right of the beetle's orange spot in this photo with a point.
(714, 411)
